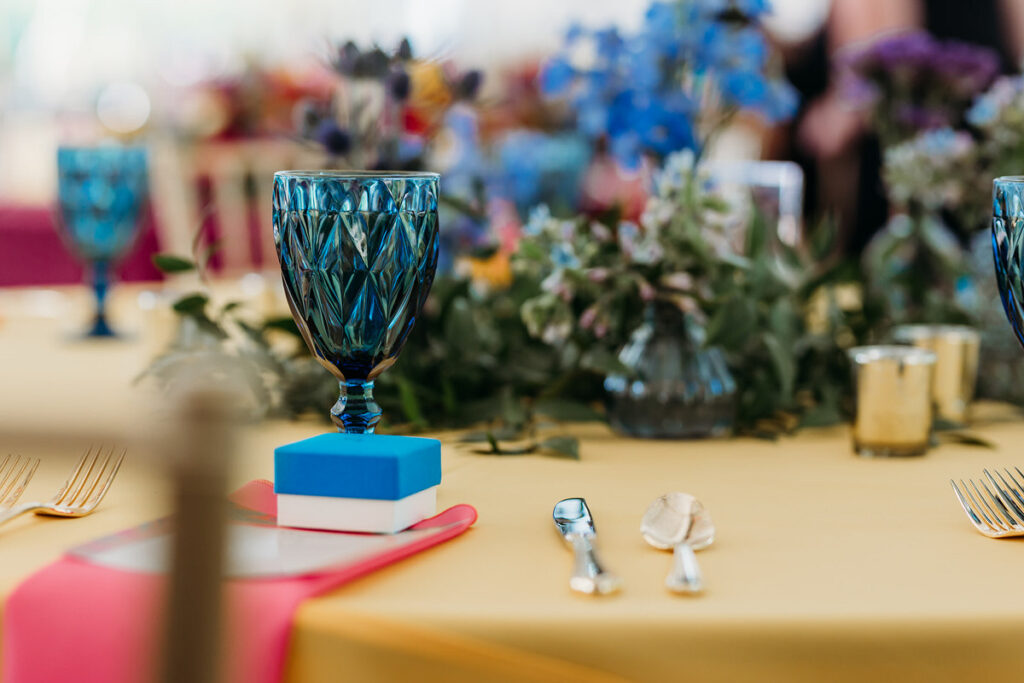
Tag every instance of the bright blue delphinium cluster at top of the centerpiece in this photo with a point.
(633, 93)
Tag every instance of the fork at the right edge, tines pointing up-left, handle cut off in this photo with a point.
(999, 516)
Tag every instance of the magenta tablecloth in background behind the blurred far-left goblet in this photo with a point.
(33, 254)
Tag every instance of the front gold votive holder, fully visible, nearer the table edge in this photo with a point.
(893, 387)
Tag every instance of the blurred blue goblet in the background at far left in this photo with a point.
(101, 193)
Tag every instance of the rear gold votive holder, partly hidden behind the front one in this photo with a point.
(957, 350)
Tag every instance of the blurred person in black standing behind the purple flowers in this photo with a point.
(841, 159)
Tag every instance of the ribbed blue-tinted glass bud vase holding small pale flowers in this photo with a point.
(676, 388)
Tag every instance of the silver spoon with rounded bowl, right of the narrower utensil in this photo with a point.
(678, 522)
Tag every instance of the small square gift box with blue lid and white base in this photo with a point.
(358, 483)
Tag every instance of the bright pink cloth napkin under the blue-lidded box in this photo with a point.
(77, 622)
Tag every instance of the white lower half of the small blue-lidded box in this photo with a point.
(356, 515)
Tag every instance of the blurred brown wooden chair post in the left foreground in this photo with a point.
(199, 454)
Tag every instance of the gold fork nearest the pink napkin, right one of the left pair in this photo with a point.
(81, 493)
